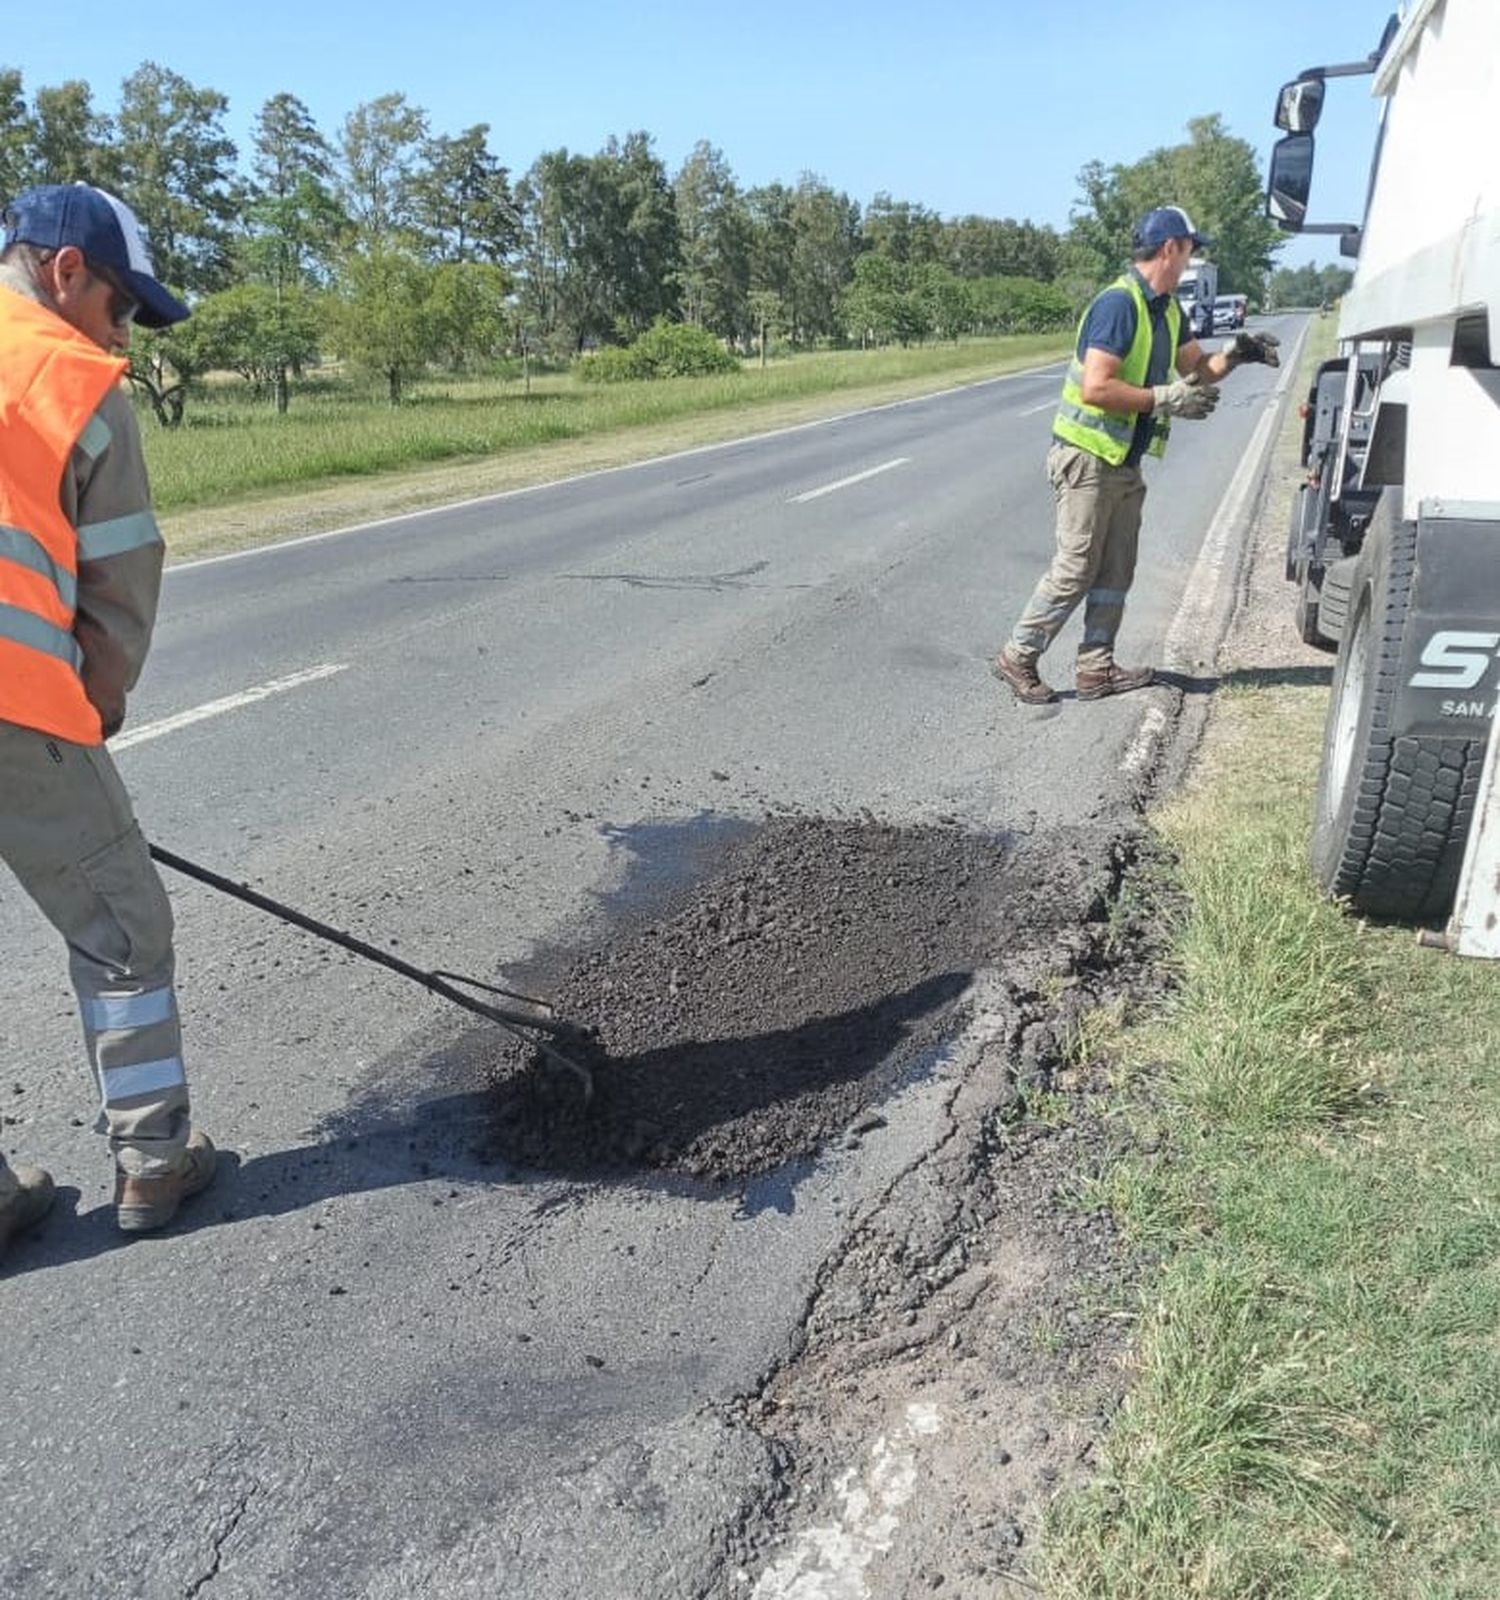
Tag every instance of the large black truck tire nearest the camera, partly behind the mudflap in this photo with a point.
(1392, 812)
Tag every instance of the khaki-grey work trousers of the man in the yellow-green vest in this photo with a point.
(1098, 534)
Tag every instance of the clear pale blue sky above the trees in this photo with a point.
(986, 106)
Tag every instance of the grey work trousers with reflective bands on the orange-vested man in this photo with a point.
(70, 834)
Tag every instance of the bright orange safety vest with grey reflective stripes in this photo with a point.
(52, 382)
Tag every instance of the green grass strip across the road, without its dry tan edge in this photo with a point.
(231, 447)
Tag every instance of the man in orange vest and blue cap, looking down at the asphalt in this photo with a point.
(81, 572)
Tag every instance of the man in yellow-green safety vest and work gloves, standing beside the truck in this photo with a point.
(1131, 374)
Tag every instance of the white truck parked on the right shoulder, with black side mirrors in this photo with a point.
(1395, 543)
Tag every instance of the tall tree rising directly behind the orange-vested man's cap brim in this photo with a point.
(177, 170)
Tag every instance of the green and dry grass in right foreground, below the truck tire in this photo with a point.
(1315, 1410)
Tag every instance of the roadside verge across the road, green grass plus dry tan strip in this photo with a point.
(239, 476)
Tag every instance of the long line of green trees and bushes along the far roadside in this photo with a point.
(397, 247)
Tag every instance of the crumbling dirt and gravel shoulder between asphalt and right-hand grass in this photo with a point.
(965, 1356)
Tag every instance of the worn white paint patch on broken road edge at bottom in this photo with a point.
(832, 1562)
